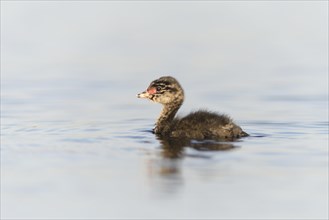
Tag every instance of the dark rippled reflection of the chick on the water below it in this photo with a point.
(166, 173)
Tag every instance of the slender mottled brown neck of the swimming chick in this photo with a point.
(166, 117)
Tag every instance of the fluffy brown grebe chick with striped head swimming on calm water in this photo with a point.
(197, 125)
